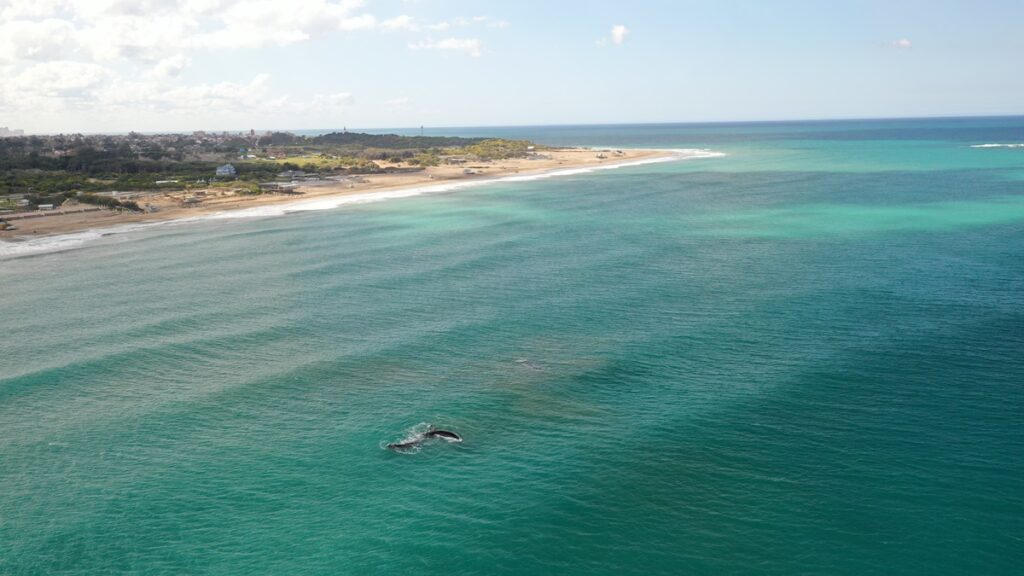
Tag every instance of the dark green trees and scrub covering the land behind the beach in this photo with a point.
(51, 170)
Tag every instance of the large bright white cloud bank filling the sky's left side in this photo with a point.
(122, 59)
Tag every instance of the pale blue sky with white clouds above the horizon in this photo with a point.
(115, 66)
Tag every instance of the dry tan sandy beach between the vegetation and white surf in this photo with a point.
(169, 205)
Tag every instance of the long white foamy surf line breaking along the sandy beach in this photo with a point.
(63, 242)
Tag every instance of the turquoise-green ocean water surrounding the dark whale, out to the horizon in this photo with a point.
(804, 357)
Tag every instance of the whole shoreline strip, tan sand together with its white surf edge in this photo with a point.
(67, 232)
